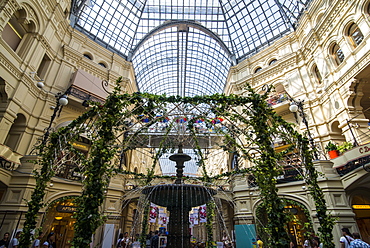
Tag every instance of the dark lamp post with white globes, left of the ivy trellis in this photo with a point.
(61, 100)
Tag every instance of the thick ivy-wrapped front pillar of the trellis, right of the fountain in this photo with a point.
(266, 172)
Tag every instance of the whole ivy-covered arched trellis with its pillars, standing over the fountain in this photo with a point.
(248, 127)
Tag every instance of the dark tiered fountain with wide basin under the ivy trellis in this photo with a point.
(179, 198)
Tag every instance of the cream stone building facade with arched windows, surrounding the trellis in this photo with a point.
(325, 61)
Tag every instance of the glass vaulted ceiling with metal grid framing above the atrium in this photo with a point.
(185, 47)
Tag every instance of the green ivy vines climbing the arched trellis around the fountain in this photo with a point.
(254, 114)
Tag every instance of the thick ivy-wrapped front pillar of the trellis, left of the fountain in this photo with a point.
(98, 171)
